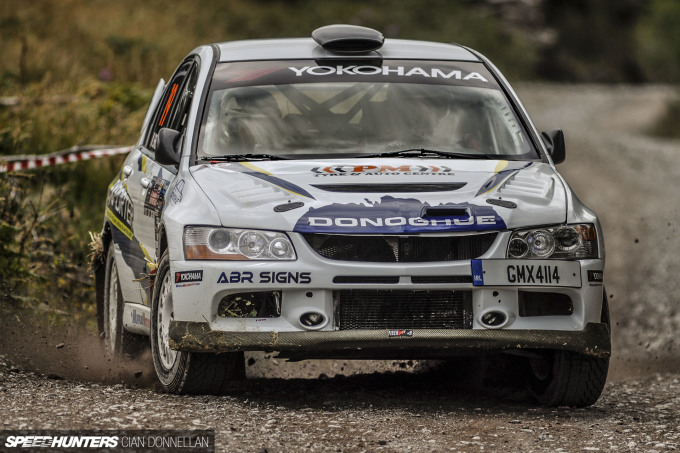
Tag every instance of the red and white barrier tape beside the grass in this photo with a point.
(76, 154)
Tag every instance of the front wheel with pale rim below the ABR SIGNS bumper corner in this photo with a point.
(179, 371)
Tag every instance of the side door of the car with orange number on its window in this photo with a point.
(148, 181)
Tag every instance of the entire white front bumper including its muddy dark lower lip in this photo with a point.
(314, 284)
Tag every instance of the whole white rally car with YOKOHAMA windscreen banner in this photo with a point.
(350, 196)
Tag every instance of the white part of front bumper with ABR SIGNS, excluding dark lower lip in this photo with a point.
(318, 286)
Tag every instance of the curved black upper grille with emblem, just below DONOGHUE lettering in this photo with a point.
(399, 249)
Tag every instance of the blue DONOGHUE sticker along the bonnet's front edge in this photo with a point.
(394, 215)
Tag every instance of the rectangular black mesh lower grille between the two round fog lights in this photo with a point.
(402, 309)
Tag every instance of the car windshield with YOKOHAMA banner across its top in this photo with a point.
(303, 109)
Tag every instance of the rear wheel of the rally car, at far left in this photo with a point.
(118, 343)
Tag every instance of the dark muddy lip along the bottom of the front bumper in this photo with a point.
(593, 340)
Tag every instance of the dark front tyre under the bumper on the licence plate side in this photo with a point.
(565, 378)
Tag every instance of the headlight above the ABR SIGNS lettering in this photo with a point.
(210, 243)
